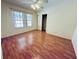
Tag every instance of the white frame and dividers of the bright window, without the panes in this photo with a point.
(23, 13)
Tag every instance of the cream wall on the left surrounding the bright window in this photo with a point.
(7, 28)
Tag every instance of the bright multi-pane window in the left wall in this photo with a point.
(21, 19)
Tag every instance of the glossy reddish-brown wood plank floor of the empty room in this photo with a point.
(37, 45)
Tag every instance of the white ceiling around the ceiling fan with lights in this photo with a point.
(28, 3)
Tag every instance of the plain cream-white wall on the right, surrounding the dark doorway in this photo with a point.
(61, 18)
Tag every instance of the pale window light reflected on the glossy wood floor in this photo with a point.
(23, 42)
